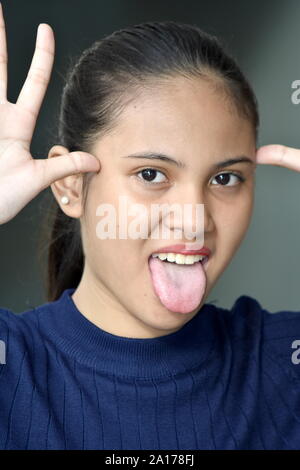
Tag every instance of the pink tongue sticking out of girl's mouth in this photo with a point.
(180, 288)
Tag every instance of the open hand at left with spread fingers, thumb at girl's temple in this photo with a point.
(21, 176)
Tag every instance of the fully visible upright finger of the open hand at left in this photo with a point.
(34, 88)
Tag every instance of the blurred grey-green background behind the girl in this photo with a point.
(263, 36)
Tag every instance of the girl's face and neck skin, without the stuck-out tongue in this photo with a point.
(191, 122)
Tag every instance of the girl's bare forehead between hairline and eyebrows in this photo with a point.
(184, 116)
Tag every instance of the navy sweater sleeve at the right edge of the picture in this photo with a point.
(267, 344)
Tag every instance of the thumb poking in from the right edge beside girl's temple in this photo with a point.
(279, 155)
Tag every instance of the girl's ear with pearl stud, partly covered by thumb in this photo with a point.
(71, 186)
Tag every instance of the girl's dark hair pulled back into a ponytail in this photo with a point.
(98, 86)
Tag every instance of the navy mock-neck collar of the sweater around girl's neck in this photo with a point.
(148, 358)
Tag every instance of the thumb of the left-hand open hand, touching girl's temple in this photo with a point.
(47, 171)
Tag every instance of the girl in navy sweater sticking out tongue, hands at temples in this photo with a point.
(126, 354)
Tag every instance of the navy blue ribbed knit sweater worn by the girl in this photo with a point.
(228, 379)
